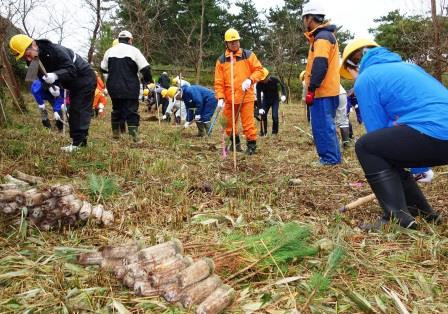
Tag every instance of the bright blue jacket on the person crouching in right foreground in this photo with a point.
(391, 92)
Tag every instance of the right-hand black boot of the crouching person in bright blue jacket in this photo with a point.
(416, 200)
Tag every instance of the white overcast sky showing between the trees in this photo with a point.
(354, 15)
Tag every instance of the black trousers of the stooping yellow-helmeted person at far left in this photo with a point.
(82, 93)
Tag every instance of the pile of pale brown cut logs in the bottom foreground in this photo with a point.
(162, 270)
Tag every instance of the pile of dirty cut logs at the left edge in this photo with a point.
(48, 208)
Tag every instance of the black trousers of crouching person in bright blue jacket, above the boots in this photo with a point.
(399, 147)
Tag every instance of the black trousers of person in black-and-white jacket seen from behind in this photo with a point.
(125, 111)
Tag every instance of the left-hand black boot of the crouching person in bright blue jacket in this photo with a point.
(388, 190)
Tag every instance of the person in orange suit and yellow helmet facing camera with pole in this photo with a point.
(247, 70)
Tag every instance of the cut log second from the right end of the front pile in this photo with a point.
(198, 292)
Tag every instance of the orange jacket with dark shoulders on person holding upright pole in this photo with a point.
(246, 65)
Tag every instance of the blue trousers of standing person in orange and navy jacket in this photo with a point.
(323, 112)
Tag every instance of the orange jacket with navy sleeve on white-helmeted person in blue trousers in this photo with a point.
(322, 68)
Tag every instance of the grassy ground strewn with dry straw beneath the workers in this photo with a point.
(160, 193)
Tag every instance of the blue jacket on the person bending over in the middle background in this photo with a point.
(201, 98)
